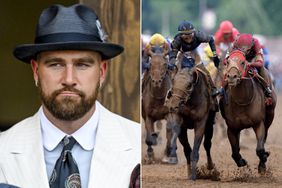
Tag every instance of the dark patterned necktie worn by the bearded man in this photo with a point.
(66, 173)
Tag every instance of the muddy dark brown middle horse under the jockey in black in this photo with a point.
(189, 105)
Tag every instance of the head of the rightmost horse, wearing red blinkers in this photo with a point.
(237, 68)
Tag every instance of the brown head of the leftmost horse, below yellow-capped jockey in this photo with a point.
(158, 66)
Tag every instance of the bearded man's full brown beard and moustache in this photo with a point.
(68, 108)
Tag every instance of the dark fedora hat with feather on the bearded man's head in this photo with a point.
(68, 28)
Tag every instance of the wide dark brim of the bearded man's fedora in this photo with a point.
(27, 52)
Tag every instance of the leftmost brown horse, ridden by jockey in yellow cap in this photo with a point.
(155, 87)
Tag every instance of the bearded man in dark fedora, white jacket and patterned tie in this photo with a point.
(72, 141)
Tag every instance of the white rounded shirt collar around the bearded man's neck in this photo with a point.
(85, 136)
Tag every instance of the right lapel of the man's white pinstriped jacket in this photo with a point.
(112, 154)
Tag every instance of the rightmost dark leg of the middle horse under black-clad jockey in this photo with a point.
(208, 138)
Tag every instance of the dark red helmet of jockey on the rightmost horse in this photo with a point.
(244, 42)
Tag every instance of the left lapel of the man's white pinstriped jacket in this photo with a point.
(25, 165)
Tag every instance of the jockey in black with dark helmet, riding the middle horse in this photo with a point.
(187, 40)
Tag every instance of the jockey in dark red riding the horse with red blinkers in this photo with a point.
(251, 47)
